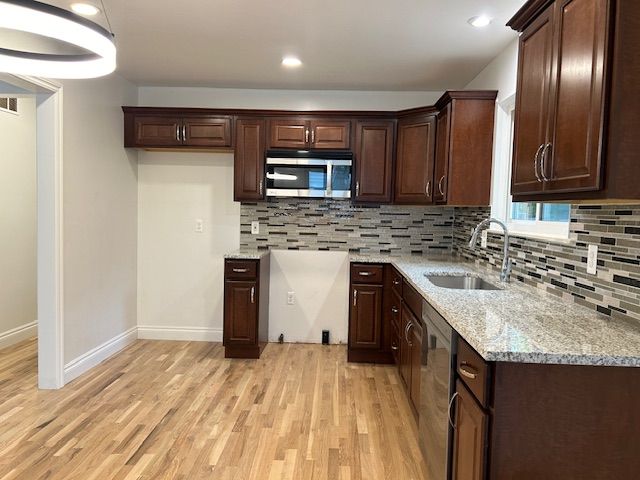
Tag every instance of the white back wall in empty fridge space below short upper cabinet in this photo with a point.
(180, 271)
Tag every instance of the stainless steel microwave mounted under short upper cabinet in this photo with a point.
(308, 174)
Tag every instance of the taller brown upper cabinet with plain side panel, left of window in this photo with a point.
(464, 148)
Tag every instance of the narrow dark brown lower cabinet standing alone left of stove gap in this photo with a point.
(246, 307)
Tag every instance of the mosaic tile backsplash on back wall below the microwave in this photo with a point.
(299, 224)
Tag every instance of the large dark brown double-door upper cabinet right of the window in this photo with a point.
(577, 89)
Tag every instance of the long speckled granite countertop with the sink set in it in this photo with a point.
(519, 323)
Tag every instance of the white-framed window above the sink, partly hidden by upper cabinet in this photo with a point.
(540, 219)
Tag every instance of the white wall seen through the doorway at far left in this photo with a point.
(18, 311)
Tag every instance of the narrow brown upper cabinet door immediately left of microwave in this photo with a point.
(248, 167)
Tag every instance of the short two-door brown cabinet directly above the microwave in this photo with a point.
(303, 134)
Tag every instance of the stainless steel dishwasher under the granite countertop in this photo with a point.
(436, 388)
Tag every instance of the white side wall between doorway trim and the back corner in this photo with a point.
(100, 219)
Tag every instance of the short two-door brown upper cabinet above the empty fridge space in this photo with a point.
(170, 130)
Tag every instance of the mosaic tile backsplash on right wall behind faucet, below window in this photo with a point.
(561, 268)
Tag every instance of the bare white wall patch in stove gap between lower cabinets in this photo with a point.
(320, 281)
